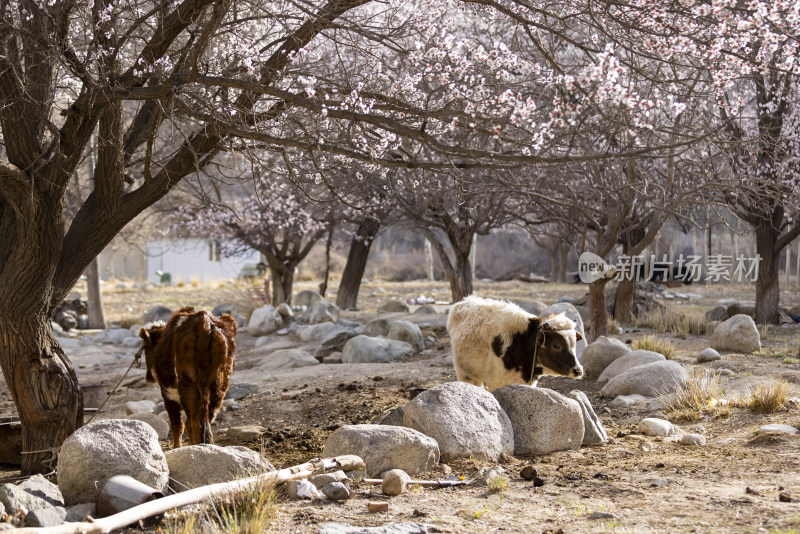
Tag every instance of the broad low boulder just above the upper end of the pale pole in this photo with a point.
(384, 447)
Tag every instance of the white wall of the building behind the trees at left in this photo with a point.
(185, 259)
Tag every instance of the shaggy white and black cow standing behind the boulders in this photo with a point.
(496, 343)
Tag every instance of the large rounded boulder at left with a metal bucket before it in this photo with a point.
(103, 449)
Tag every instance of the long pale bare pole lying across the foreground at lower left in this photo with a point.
(159, 506)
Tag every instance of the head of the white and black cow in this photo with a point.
(556, 343)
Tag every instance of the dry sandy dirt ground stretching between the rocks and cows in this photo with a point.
(732, 484)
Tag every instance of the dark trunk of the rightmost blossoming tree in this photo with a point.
(768, 282)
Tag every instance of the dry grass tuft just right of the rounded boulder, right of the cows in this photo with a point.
(701, 395)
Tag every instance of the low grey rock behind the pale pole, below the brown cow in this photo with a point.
(198, 465)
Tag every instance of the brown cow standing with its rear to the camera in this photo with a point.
(191, 358)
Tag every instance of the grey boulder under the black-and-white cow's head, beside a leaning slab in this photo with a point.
(544, 421)
